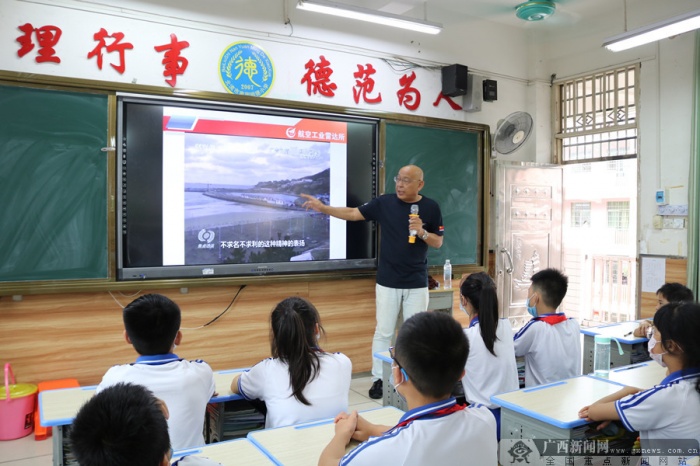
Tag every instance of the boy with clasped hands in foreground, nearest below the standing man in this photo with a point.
(429, 357)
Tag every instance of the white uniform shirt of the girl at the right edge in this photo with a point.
(670, 410)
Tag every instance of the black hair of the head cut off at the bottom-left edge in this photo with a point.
(123, 424)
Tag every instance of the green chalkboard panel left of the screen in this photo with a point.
(53, 185)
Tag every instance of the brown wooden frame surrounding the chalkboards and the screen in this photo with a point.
(9, 78)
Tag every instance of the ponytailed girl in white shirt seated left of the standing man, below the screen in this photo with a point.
(301, 382)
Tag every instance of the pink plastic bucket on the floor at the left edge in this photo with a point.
(16, 407)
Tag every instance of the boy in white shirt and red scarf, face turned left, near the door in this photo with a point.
(550, 342)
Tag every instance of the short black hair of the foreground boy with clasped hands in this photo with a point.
(433, 349)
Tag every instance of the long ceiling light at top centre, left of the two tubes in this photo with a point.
(372, 16)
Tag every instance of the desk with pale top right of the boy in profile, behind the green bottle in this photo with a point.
(634, 348)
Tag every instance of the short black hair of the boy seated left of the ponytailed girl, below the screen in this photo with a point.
(152, 322)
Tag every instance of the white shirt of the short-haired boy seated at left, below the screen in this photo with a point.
(184, 386)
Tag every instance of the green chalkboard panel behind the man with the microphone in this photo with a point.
(453, 173)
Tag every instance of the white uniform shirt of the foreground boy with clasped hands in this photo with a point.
(433, 435)
